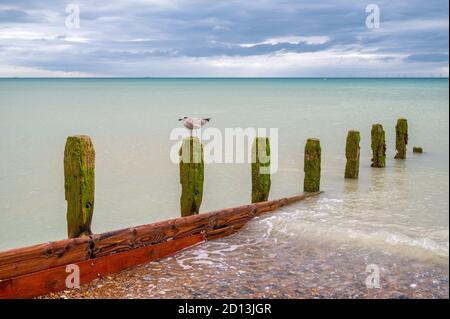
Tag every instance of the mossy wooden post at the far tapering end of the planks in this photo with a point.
(312, 166)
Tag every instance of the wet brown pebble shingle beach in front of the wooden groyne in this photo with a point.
(298, 268)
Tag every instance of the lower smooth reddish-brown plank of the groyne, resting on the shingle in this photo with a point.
(54, 279)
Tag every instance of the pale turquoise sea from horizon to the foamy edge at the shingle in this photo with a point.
(402, 209)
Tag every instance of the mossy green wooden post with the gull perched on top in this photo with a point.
(191, 175)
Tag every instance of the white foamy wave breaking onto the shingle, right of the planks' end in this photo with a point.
(351, 233)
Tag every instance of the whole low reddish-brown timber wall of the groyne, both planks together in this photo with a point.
(45, 264)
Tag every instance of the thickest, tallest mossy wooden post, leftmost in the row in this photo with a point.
(79, 177)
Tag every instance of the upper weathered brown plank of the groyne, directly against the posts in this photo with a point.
(35, 258)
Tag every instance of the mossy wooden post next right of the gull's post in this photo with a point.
(260, 169)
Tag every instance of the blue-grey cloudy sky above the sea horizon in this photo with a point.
(189, 38)
